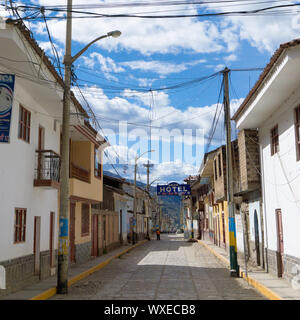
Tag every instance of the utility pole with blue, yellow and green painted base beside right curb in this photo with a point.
(234, 267)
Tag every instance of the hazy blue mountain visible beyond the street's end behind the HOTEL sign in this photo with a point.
(171, 204)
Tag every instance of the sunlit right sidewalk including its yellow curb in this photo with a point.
(270, 286)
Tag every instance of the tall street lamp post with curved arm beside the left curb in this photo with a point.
(63, 254)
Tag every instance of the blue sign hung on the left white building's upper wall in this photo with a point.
(7, 84)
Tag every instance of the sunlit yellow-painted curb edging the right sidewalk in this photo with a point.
(268, 293)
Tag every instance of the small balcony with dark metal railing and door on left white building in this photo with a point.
(47, 169)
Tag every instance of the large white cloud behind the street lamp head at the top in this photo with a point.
(144, 35)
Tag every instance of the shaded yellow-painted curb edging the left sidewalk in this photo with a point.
(52, 291)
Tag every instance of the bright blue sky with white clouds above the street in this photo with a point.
(163, 73)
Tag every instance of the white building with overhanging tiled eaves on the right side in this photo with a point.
(273, 107)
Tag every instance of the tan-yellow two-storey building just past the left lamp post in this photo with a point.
(86, 188)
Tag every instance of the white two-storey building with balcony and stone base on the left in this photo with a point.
(29, 163)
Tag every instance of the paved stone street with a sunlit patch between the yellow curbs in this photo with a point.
(170, 269)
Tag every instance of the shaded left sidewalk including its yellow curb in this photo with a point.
(47, 288)
